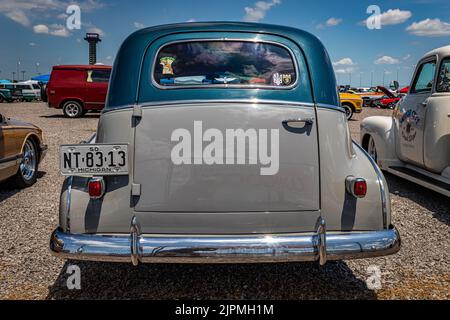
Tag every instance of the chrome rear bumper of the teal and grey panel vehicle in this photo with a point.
(136, 248)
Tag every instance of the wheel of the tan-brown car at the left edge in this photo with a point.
(27, 174)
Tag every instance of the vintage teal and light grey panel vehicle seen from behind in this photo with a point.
(222, 142)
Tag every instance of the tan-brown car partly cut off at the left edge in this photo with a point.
(21, 150)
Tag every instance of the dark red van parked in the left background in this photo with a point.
(78, 89)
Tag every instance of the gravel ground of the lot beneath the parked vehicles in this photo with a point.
(28, 271)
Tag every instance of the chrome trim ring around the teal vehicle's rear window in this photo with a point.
(225, 86)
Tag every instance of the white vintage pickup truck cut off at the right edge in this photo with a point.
(414, 143)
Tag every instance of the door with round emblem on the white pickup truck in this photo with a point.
(411, 115)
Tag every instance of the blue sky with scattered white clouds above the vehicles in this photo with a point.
(35, 35)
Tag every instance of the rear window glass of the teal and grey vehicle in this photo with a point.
(225, 63)
